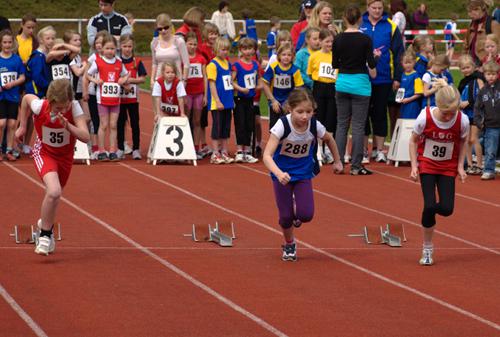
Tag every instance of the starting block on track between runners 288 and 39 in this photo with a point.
(393, 235)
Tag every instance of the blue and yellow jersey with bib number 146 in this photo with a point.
(282, 80)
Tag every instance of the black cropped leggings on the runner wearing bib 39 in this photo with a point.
(446, 191)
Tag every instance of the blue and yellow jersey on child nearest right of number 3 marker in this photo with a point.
(219, 71)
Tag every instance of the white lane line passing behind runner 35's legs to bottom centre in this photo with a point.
(259, 321)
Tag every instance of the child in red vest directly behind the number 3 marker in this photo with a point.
(168, 93)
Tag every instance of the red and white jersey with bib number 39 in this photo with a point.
(439, 144)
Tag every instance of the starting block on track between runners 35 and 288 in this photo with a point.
(223, 233)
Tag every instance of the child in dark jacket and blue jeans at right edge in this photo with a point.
(487, 117)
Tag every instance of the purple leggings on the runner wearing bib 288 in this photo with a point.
(304, 201)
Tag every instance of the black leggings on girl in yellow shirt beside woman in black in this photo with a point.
(326, 111)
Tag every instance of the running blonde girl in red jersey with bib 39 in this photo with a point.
(437, 152)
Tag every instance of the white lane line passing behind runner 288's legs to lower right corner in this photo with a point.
(321, 251)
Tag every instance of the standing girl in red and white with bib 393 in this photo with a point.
(111, 75)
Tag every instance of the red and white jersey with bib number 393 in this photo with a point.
(110, 71)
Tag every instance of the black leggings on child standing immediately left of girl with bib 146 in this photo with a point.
(244, 120)
